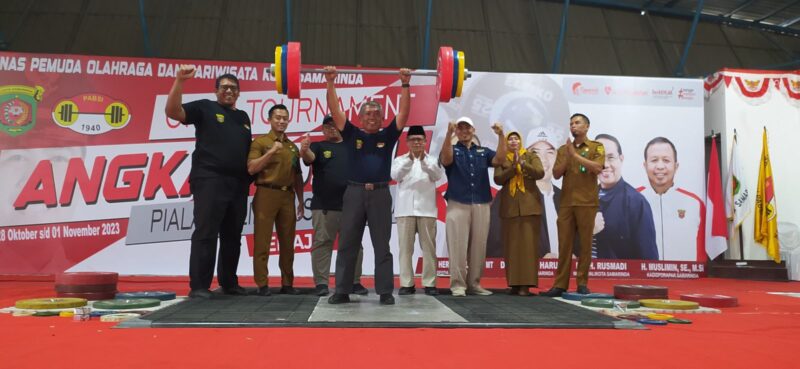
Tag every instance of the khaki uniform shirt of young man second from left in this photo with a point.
(282, 166)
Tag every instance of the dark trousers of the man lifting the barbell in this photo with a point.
(360, 207)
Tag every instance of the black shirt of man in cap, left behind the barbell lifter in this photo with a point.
(330, 175)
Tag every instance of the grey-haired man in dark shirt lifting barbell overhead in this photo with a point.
(367, 198)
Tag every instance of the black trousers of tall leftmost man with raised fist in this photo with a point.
(220, 209)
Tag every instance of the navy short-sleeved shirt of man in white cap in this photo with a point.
(468, 174)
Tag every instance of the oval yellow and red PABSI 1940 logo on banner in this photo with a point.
(91, 114)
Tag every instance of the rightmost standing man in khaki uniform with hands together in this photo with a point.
(579, 161)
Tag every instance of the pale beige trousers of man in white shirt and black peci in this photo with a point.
(407, 229)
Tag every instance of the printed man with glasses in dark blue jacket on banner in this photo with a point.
(629, 231)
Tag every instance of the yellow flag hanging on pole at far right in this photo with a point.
(766, 215)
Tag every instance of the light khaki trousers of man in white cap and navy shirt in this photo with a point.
(467, 228)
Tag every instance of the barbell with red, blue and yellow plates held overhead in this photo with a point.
(450, 71)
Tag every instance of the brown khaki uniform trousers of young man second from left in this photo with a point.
(273, 208)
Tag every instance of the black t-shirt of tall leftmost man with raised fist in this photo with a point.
(222, 139)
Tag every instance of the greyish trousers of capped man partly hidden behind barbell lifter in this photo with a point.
(326, 229)
